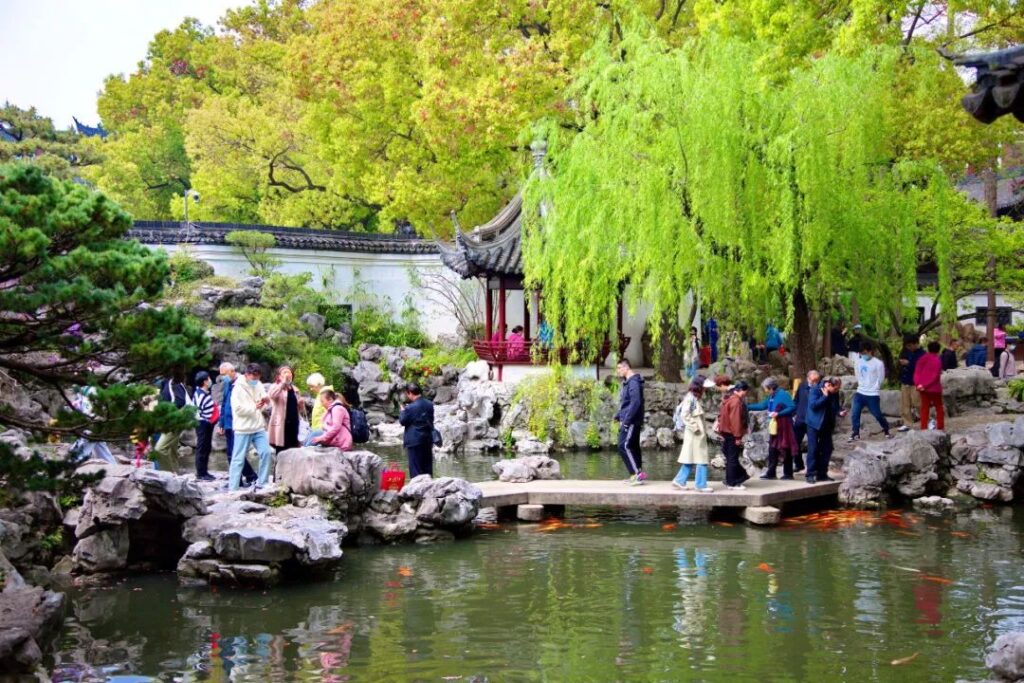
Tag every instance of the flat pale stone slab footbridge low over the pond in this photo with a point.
(652, 494)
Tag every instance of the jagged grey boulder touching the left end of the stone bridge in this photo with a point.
(425, 510)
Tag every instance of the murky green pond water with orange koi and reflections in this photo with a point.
(615, 595)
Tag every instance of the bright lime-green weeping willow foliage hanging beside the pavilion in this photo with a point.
(765, 198)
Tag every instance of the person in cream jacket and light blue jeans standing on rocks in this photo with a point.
(248, 401)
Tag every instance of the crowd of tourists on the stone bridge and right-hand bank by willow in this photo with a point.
(812, 414)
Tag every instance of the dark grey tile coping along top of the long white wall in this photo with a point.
(170, 233)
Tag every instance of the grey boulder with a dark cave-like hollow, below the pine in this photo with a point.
(135, 513)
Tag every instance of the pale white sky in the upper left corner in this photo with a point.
(55, 55)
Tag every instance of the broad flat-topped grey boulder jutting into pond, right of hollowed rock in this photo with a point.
(244, 542)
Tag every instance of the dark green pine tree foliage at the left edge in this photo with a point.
(65, 263)
